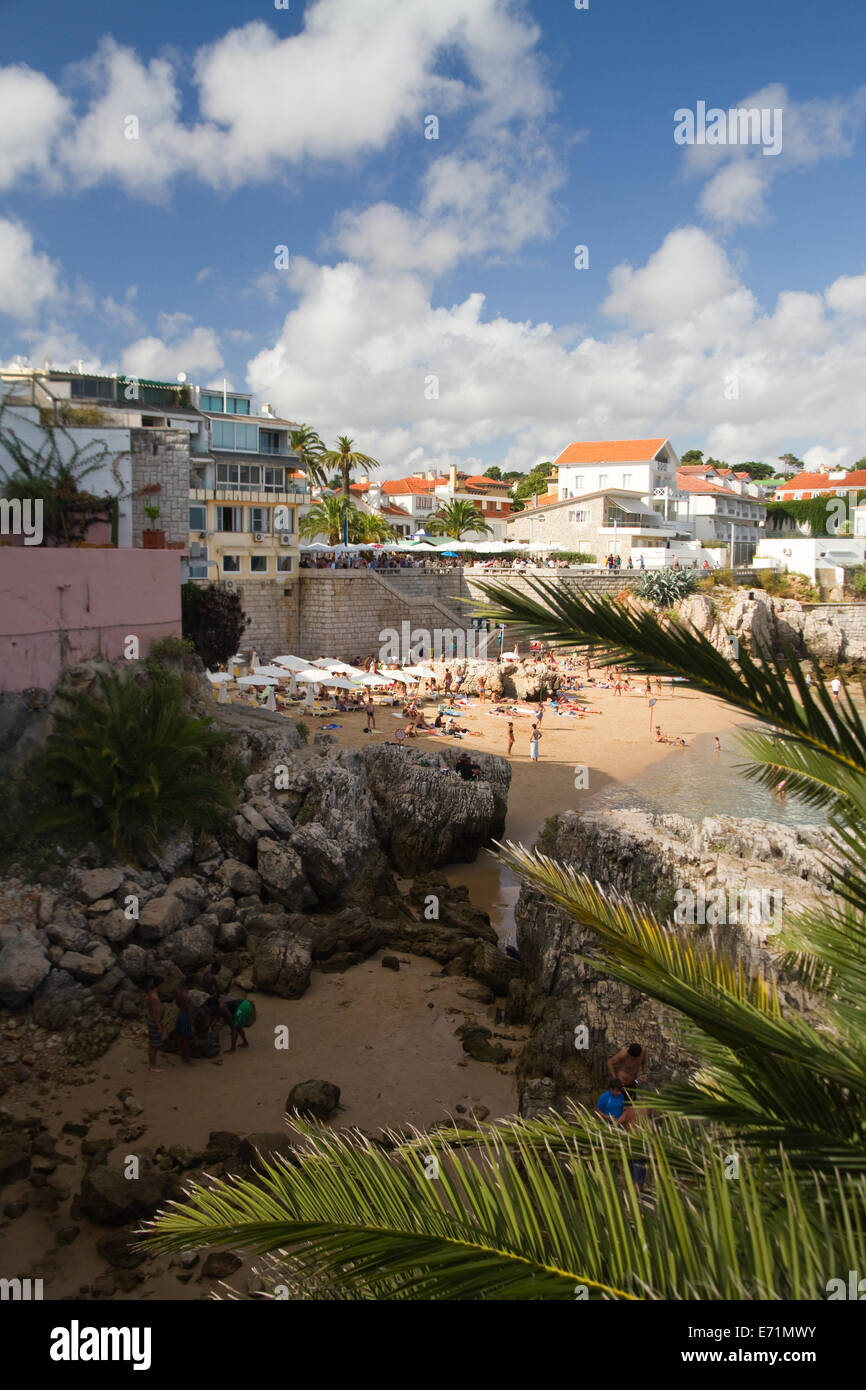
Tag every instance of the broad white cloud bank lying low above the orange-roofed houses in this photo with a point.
(423, 384)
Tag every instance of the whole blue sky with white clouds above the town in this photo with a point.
(432, 305)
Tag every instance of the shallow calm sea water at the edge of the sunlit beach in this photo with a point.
(700, 782)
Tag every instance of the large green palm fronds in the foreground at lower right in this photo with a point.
(543, 1209)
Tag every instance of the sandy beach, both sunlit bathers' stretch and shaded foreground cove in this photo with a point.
(384, 1038)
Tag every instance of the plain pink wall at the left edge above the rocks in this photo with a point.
(65, 607)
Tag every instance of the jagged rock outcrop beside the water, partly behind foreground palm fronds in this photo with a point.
(650, 858)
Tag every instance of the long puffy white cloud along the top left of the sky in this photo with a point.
(347, 84)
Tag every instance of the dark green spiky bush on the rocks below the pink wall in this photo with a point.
(130, 765)
